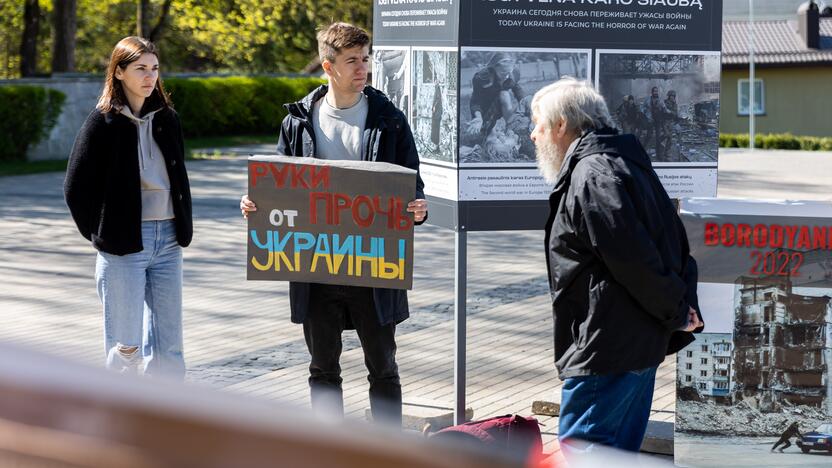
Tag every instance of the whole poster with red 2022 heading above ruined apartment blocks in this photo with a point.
(761, 365)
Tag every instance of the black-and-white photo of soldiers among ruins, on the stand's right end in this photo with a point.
(669, 101)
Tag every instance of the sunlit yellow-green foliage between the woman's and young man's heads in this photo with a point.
(252, 35)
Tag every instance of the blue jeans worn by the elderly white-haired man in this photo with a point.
(610, 410)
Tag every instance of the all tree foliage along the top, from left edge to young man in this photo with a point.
(250, 36)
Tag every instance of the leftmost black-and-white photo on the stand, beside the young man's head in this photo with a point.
(391, 75)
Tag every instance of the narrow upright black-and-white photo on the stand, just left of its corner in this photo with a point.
(434, 104)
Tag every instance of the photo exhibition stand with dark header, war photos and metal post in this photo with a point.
(464, 73)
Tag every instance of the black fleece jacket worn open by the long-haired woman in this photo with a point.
(103, 186)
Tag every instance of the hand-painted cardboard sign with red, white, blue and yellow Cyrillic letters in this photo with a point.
(332, 222)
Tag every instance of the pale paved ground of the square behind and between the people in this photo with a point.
(237, 333)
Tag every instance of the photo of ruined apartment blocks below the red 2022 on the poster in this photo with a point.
(756, 389)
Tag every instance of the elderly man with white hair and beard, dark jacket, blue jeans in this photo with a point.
(622, 280)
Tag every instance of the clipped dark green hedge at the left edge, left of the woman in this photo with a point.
(27, 114)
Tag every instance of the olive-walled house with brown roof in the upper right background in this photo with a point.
(793, 79)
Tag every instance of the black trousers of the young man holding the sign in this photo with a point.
(331, 310)
